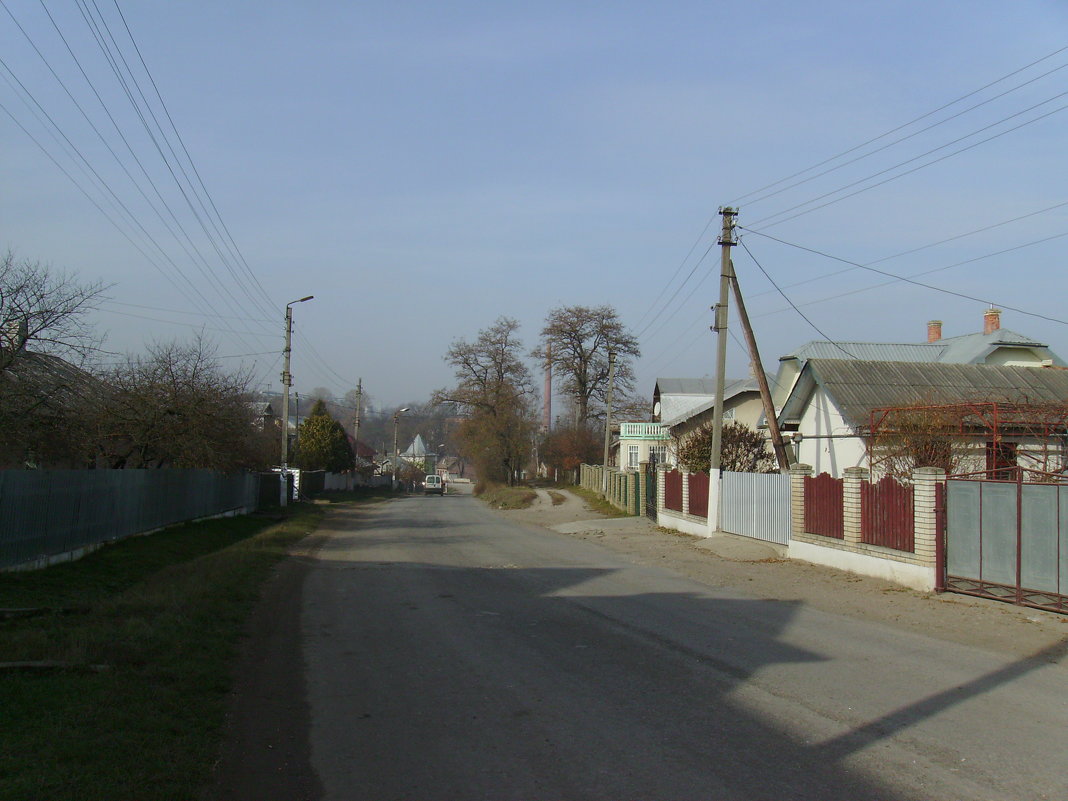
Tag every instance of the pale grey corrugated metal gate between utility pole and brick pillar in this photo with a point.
(757, 506)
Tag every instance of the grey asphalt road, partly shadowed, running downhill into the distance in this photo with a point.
(428, 650)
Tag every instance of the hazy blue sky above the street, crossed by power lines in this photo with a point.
(425, 168)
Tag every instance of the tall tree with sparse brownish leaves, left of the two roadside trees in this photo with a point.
(496, 391)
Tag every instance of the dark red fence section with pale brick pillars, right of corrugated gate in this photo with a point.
(885, 530)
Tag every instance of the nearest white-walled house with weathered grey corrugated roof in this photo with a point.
(849, 413)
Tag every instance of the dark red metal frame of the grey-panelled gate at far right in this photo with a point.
(980, 586)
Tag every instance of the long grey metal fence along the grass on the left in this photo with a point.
(46, 514)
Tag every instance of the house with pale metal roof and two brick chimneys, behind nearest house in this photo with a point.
(994, 347)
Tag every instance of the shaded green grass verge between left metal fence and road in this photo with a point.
(165, 615)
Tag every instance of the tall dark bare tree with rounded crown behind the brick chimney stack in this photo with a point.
(578, 340)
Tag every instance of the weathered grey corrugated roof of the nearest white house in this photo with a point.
(857, 387)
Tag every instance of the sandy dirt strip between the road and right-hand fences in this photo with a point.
(762, 571)
